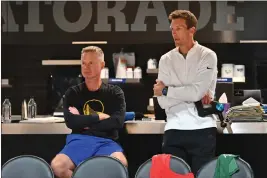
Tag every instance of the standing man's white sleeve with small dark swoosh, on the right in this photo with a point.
(202, 83)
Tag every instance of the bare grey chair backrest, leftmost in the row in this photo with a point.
(27, 166)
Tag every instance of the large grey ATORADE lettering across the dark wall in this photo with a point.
(224, 12)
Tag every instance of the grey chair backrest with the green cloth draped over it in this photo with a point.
(208, 170)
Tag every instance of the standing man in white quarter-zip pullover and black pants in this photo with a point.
(187, 74)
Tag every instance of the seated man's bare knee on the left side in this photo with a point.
(60, 165)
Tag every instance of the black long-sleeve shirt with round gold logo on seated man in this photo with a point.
(108, 99)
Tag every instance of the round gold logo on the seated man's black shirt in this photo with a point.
(93, 106)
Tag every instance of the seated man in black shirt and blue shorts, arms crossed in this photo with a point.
(94, 111)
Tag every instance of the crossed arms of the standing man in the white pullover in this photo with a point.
(193, 92)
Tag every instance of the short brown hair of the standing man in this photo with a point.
(189, 17)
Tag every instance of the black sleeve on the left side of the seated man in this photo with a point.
(74, 121)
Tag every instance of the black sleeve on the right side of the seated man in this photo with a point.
(117, 117)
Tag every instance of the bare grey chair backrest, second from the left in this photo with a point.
(101, 167)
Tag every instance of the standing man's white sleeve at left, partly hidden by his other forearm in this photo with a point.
(164, 76)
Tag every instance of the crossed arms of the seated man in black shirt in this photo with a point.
(101, 121)
